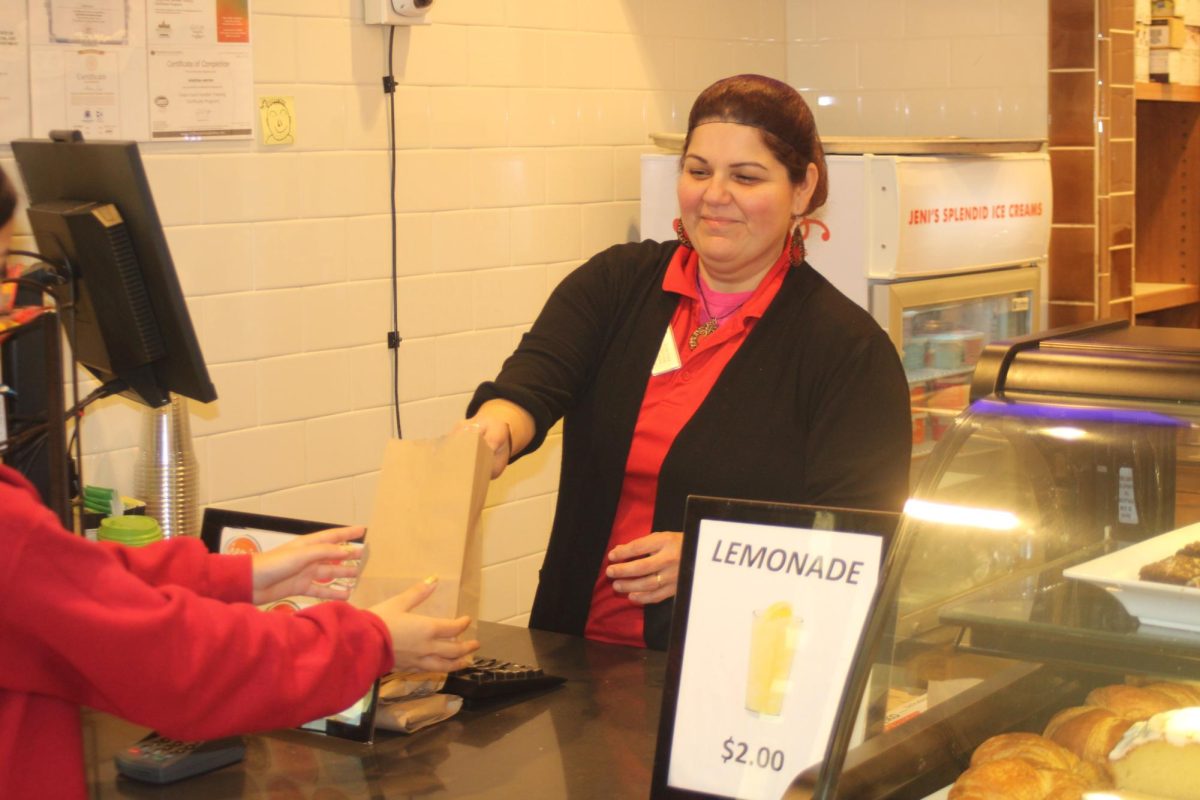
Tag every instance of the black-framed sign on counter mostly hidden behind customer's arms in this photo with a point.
(242, 532)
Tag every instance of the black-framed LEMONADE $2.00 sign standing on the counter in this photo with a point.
(728, 646)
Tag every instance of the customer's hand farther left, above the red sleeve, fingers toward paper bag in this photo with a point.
(307, 566)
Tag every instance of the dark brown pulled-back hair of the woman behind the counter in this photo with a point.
(783, 118)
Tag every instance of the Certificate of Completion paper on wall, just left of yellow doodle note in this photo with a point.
(201, 93)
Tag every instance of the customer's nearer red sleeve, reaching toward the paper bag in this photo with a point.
(77, 624)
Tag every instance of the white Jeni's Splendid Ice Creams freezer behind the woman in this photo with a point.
(944, 242)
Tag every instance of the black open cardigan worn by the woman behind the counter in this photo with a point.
(813, 408)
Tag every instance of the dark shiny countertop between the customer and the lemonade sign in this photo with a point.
(591, 738)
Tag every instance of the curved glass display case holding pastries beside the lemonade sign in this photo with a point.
(1016, 586)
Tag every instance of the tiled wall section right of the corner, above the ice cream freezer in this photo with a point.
(922, 68)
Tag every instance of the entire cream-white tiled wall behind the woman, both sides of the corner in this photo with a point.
(519, 129)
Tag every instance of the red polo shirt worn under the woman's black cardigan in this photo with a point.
(670, 401)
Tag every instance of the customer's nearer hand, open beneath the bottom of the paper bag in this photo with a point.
(424, 643)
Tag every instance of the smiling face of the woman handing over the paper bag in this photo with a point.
(737, 203)
